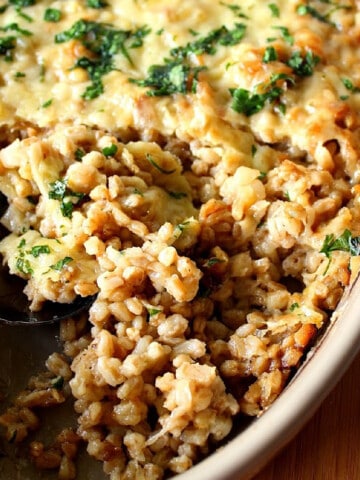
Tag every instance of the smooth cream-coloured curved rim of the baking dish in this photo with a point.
(246, 454)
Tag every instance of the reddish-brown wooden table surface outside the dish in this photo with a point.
(328, 447)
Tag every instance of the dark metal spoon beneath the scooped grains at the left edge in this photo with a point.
(14, 304)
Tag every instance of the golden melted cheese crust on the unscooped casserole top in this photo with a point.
(50, 75)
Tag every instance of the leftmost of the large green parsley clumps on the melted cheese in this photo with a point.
(103, 41)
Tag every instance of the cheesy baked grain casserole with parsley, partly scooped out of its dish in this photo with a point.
(194, 165)
